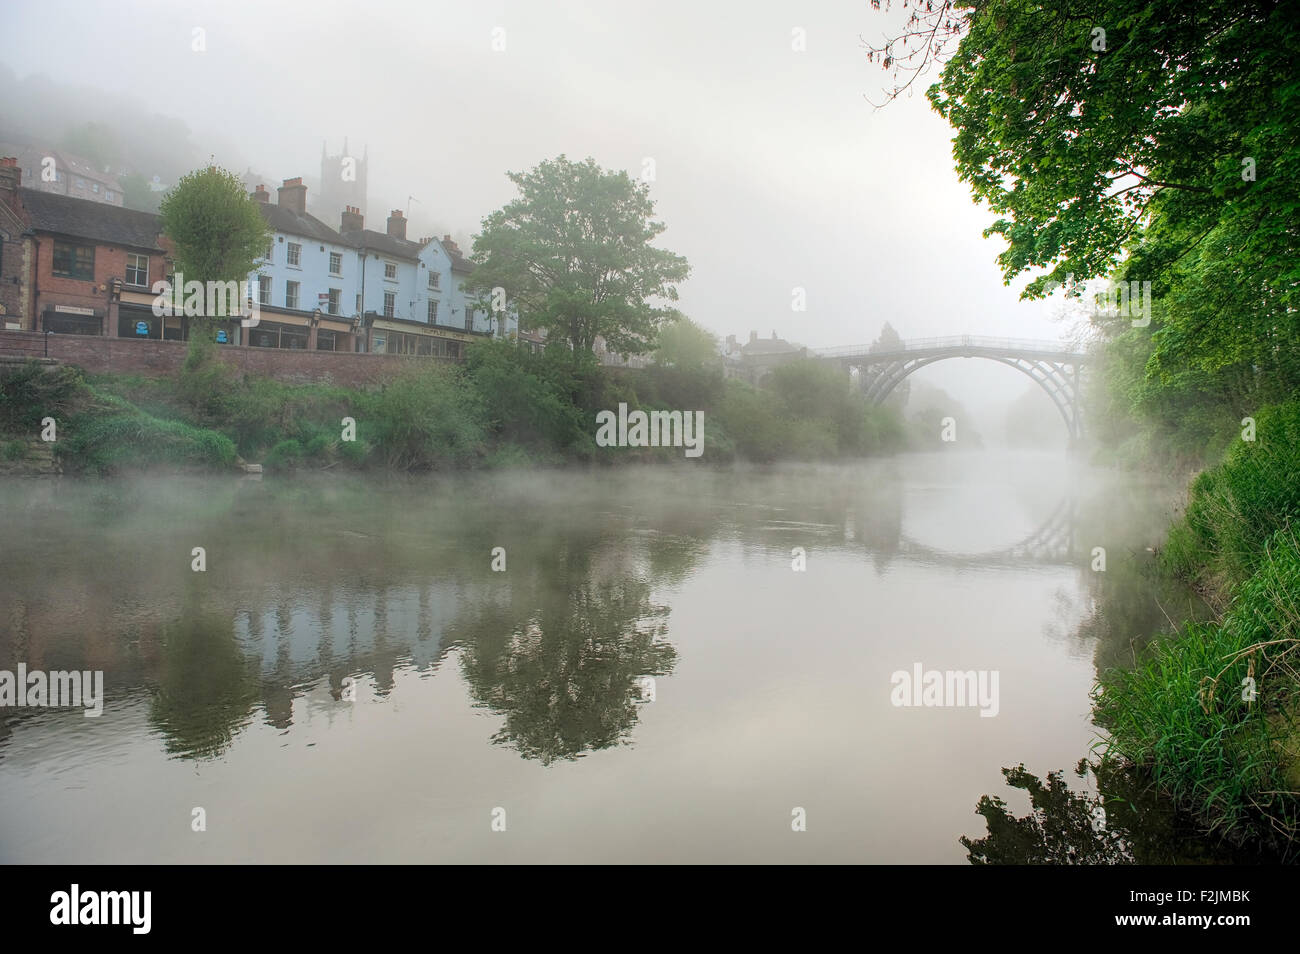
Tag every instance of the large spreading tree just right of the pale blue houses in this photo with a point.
(574, 255)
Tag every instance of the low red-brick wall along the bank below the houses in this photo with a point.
(164, 358)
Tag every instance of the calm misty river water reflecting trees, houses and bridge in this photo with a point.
(651, 678)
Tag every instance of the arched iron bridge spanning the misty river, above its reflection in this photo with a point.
(1051, 366)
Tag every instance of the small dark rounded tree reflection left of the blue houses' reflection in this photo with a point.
(207, 690)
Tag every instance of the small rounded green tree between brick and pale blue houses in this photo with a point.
(218, 232)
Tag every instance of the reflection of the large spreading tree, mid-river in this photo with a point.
(561, 664)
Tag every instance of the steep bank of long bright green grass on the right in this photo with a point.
(1214, 712)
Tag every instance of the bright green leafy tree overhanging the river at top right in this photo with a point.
(1169, 151)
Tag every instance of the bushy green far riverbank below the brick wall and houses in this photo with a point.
(505, 407)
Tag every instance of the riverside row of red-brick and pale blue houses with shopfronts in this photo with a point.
(73, 267)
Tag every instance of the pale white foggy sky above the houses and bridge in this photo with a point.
(773, 168)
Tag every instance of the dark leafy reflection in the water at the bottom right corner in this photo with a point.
(1064, 827)
